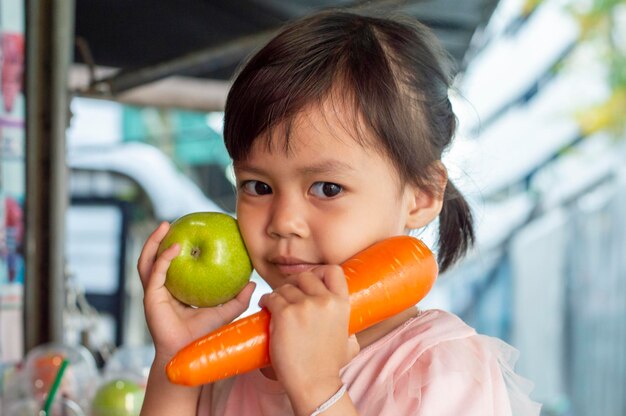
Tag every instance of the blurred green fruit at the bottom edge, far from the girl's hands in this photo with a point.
(118, 397)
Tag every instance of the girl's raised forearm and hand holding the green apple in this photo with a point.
(173, 325)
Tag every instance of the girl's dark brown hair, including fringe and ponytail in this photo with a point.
(395, 76)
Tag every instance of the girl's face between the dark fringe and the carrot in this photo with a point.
(320, 203)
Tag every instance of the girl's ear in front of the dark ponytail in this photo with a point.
(422, 206)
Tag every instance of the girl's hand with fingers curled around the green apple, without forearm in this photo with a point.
(173, 324)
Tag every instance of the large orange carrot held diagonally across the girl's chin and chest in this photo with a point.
(383, 280)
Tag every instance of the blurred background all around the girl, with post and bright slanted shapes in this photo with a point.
(111, 121)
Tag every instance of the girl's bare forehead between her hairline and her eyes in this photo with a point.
(319, 142)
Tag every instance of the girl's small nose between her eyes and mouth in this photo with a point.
(288, 219)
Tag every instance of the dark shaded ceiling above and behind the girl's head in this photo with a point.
(180, 44)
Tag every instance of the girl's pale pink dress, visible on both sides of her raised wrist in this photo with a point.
(432, 365)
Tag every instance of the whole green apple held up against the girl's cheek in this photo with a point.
(213, 265)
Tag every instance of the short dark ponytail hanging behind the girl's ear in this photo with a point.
(456, 230)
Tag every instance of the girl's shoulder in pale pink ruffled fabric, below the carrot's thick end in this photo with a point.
(436, 360)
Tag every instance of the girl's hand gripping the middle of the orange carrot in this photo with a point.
(309, 341)
